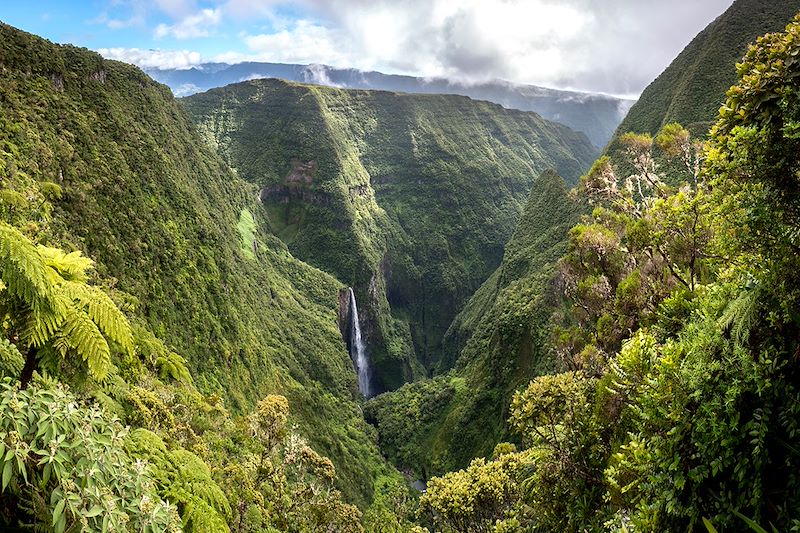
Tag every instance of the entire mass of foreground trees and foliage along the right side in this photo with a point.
(691, 415)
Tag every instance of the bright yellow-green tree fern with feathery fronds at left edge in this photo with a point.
(53, 314)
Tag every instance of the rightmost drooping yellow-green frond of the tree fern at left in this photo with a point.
(102, 311)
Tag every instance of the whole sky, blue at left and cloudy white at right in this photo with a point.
(608, 46)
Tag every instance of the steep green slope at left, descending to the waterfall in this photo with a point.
(164, 216)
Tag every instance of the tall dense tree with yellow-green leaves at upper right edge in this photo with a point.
(753, 155)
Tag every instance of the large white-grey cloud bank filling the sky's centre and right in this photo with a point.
(614, 46)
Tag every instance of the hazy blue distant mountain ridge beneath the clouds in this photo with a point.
(596, 115)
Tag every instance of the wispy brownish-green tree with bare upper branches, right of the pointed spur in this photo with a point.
(645, 238)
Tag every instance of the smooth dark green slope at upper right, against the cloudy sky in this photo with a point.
(693, 87)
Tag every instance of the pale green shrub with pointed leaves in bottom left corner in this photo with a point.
(65, 467)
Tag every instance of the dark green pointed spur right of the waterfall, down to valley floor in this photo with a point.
(501, 339)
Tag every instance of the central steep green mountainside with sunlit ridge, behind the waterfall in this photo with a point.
(408, 198)
